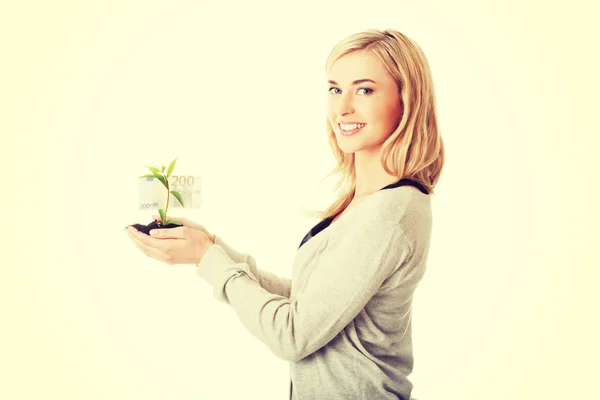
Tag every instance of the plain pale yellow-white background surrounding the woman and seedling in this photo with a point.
(94, 92)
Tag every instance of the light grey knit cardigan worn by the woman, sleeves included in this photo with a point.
(344, 319)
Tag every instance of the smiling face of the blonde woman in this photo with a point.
(361, 91)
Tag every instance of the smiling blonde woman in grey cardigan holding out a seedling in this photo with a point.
(344, 319)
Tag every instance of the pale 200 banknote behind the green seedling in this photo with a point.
(153, 194)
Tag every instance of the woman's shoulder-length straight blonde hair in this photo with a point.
(415, 150)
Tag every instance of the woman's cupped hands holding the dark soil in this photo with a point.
(182, 245)
